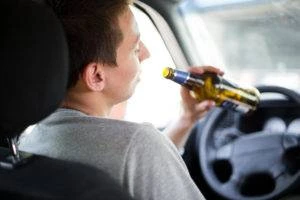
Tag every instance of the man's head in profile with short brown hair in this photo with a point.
(105, 51)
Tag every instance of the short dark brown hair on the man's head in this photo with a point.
(92, 31)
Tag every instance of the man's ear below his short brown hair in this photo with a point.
(94, 77)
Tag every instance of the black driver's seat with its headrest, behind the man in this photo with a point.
(33, 78)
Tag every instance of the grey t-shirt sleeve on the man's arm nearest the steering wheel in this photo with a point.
(153, 169)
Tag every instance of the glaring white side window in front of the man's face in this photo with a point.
(156, 99)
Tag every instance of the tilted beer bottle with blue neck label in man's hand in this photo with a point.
(214, 87)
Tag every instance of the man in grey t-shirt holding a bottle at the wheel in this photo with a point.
(106, 53)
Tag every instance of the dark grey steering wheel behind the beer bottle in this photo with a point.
(253, 165)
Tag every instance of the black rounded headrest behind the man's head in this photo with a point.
(34, 64)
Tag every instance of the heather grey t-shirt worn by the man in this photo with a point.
(137, 156)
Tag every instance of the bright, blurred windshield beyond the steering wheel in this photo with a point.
(255, 42)
